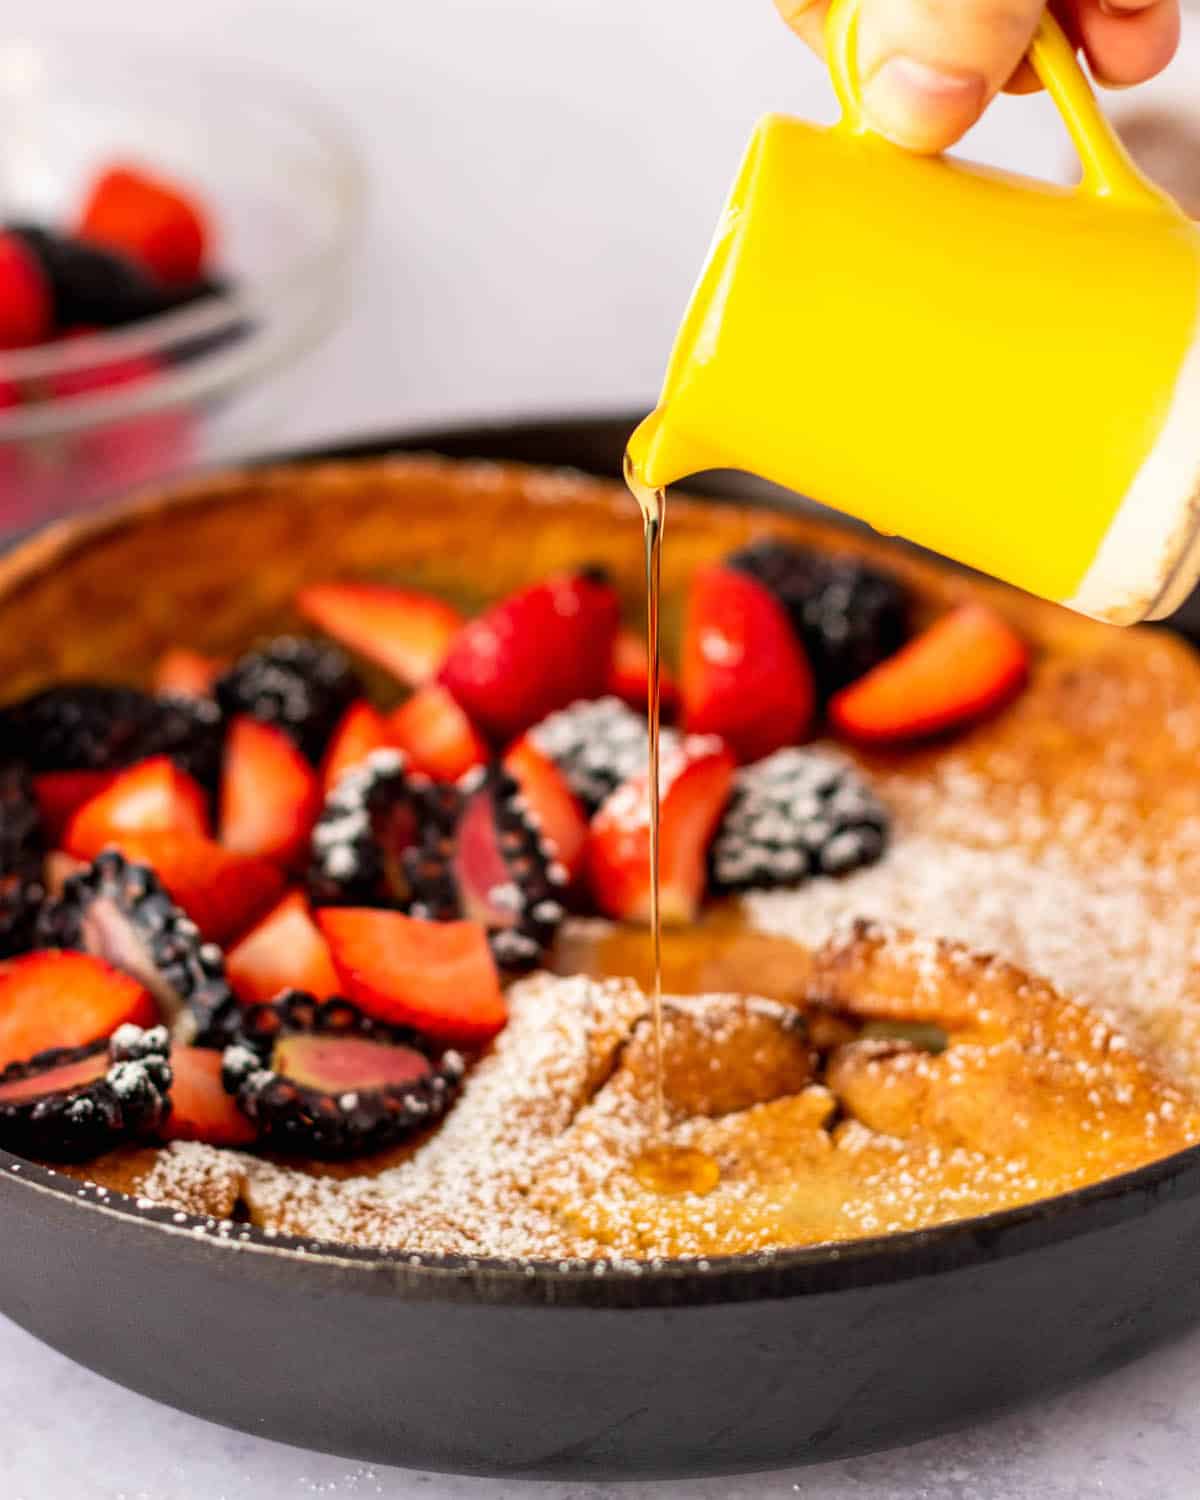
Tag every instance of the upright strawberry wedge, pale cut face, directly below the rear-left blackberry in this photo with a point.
(269, 794)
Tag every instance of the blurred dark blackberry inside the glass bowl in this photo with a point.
(91, 286)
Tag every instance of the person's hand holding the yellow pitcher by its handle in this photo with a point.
(929, 68)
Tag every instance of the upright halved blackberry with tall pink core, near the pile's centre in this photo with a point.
(484, 860)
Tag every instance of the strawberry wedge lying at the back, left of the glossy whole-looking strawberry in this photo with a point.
(403, 629)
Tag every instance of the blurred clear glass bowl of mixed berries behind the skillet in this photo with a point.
(173, 238)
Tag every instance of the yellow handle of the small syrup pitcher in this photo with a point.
(1108, 167)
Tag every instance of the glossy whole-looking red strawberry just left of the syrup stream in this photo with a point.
(536, 652)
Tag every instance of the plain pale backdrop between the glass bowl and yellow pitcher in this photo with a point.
(545, 176)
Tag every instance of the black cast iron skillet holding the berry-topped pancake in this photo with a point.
(484, 1367)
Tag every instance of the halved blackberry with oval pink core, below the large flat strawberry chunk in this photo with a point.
(328, 1081)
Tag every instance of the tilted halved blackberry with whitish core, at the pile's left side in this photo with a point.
(121, 913)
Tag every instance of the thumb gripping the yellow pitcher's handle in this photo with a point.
(931, 67)
